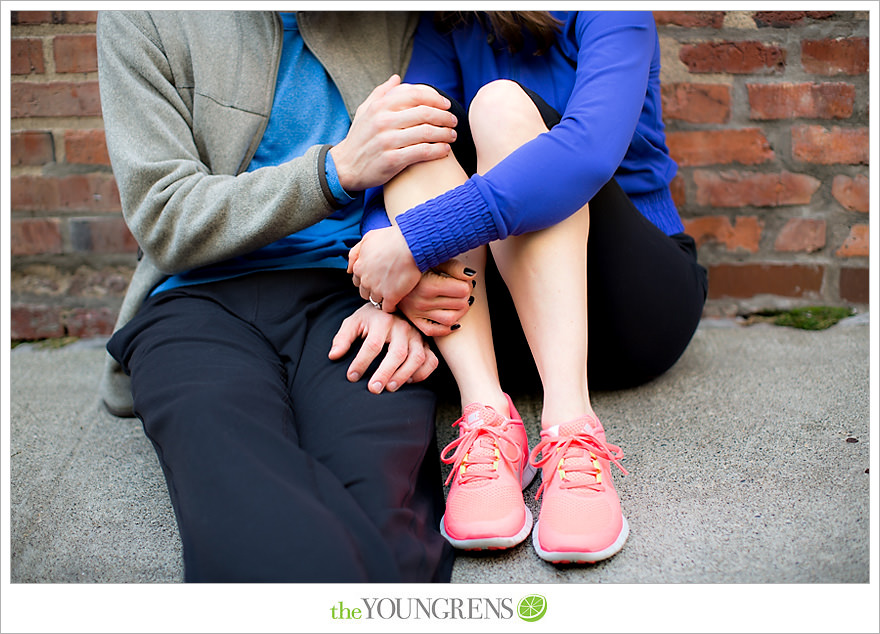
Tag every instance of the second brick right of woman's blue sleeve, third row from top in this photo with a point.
(807, 101)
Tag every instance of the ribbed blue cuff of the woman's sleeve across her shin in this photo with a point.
(447, 226)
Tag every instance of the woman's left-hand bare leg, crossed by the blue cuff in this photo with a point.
(469, 351)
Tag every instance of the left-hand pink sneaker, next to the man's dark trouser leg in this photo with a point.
(490, 468)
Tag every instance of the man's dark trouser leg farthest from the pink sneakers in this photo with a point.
(251, 504)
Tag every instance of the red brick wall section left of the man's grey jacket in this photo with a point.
(72, 255)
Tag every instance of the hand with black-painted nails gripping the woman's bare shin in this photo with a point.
(440, 299)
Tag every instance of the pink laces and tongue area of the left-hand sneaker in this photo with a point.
(486, 438)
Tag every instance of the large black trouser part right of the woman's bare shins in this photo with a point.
(645, 293)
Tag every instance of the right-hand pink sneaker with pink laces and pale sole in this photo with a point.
(580, 519)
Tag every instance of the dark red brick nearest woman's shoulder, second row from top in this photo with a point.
(732, 57)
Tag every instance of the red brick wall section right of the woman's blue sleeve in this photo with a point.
(767, 116)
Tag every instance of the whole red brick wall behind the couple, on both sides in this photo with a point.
(767, 115)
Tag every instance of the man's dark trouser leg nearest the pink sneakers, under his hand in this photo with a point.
(382, 448)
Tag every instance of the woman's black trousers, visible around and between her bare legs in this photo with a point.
(645, 289)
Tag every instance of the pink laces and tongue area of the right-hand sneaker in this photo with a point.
(563, 444)
